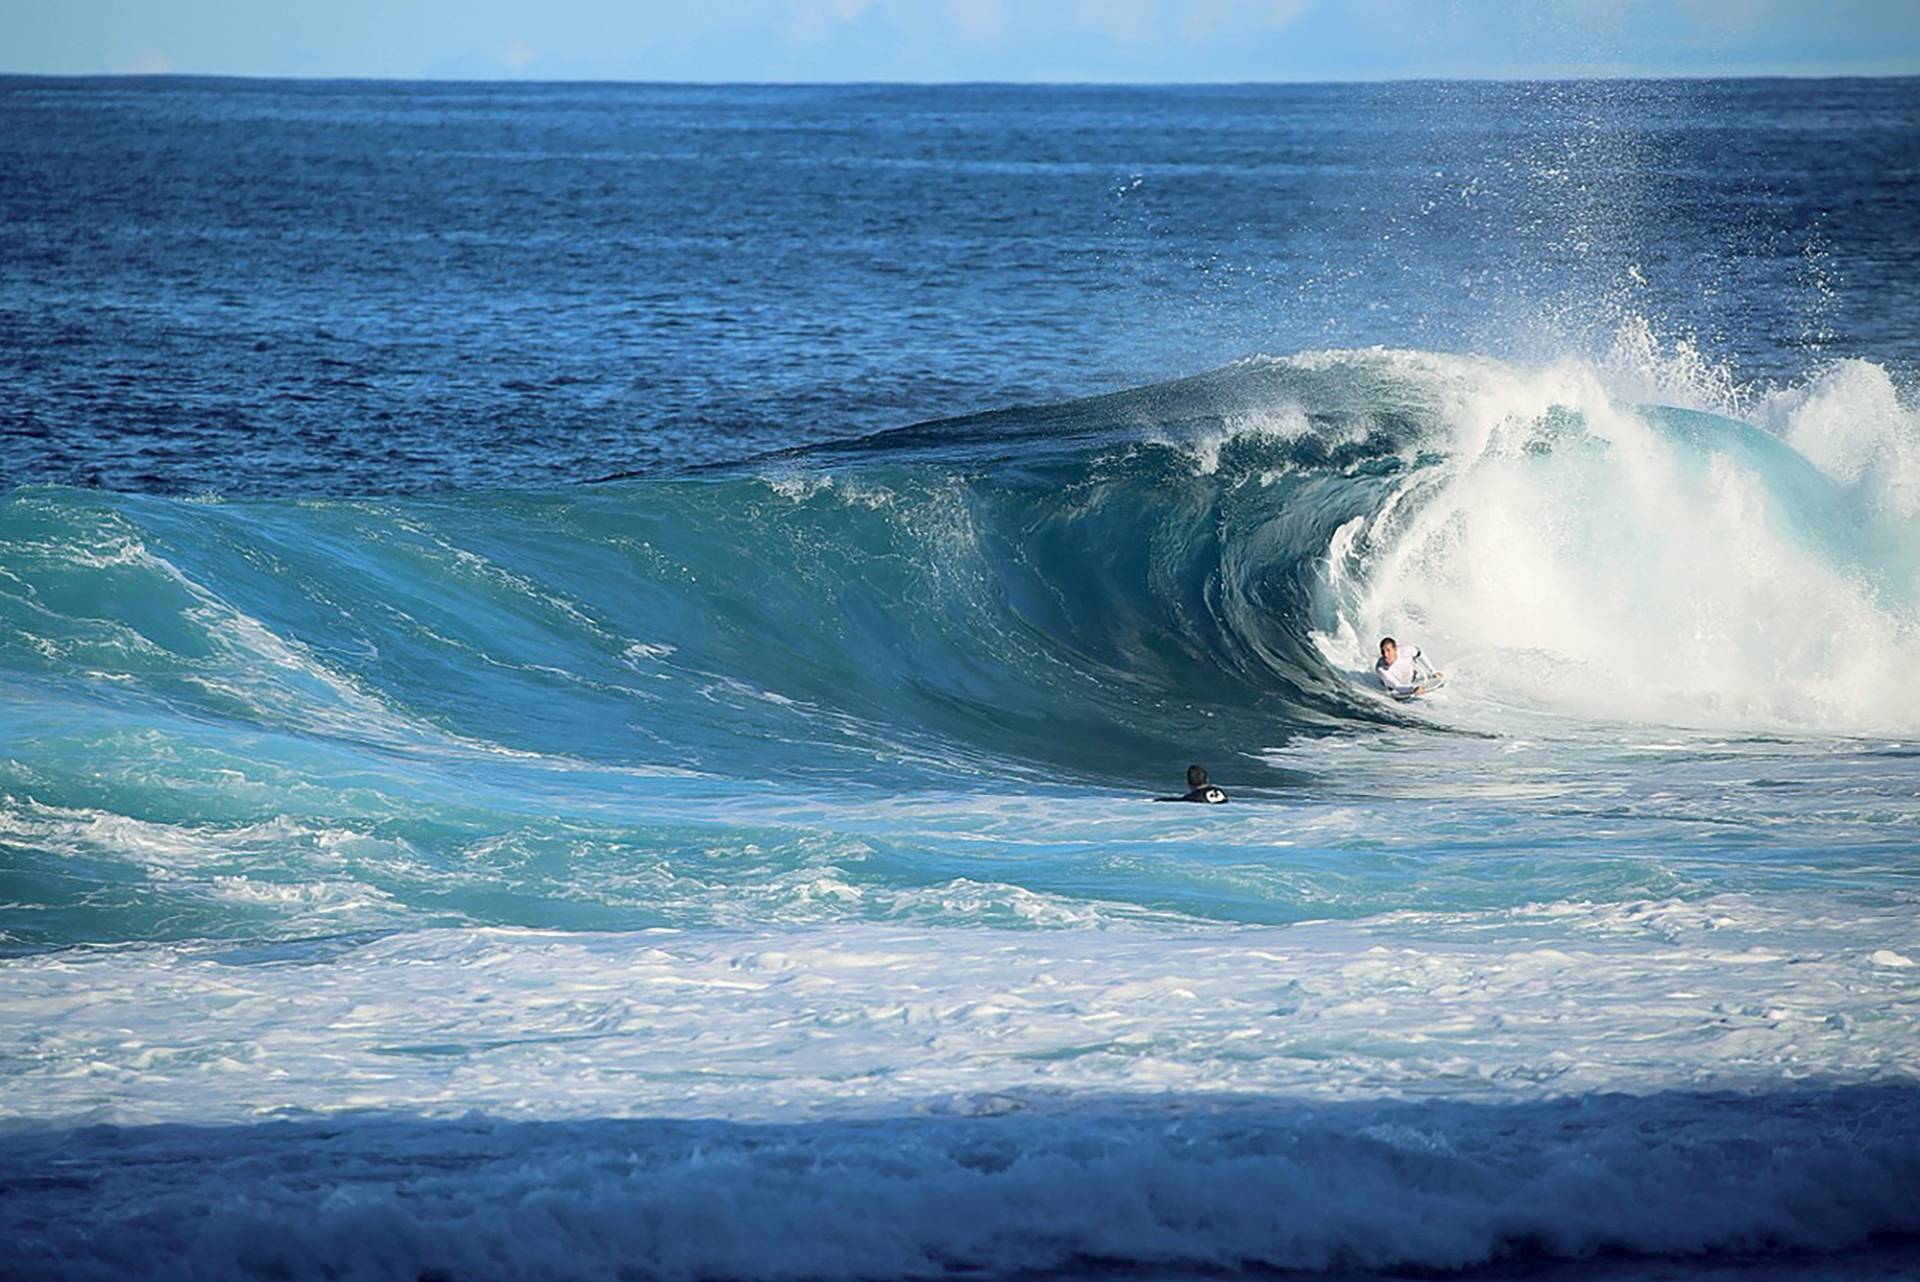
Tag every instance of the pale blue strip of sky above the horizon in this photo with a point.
(1122, 41)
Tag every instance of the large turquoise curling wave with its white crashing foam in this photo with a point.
(1092, 590)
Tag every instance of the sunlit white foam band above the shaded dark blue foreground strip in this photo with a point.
(867, 1020)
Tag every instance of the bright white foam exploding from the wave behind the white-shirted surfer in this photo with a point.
(1572, 556)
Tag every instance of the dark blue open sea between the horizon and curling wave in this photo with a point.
(266, 287)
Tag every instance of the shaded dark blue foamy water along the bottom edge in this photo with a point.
(1164, 1185)
